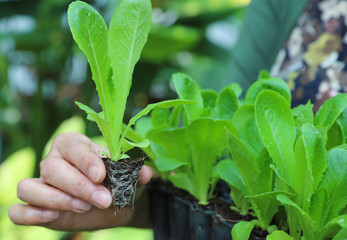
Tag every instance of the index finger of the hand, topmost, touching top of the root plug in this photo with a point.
(80, 152)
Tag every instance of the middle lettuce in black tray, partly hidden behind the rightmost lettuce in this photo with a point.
(248, 173)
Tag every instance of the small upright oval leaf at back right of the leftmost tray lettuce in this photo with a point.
(226, 104)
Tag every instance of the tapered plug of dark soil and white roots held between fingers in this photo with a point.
(121, 179)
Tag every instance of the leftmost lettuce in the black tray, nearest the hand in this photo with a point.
(189, 140)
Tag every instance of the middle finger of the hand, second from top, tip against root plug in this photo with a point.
(60, 174)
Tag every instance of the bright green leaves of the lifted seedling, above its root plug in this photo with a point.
(112, 54)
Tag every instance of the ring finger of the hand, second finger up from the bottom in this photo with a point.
(35, 192)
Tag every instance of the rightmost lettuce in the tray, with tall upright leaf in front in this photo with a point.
(309, 161)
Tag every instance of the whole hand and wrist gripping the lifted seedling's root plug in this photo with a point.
(69, 194)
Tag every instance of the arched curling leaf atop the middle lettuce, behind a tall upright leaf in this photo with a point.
(274, 84)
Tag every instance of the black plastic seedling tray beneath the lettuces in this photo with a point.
(176, 218)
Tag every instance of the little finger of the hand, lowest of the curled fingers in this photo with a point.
(30, 215)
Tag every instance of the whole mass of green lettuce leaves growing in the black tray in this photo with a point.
(279, 156)
